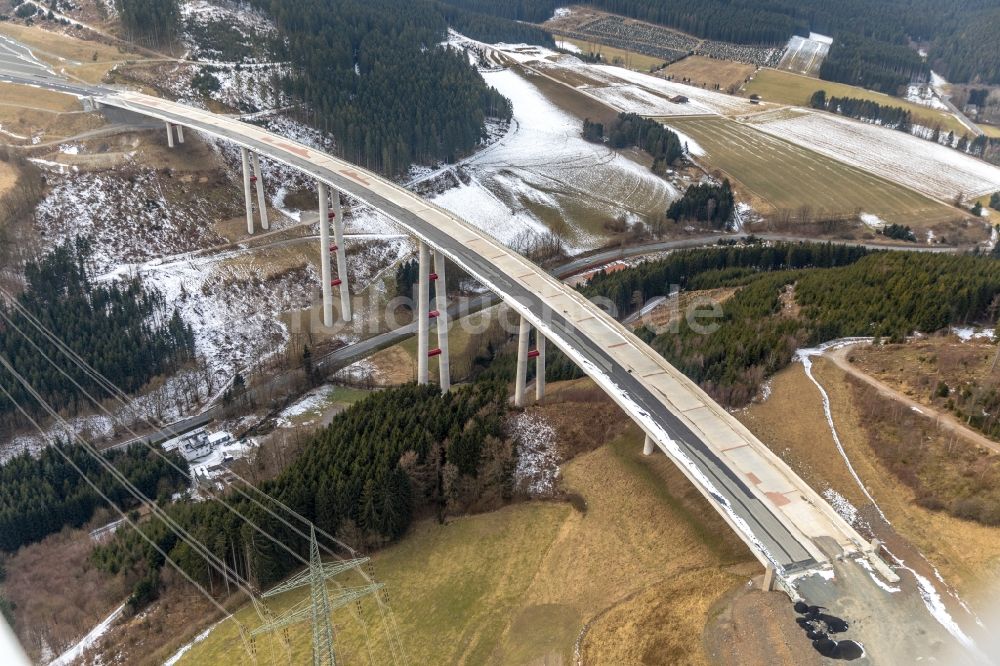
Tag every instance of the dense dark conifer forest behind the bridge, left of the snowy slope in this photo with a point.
(374, 76)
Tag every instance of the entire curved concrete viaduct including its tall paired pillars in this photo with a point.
(805, 547)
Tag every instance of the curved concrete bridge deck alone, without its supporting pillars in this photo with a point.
(780, 518)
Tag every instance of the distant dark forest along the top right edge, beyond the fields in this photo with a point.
(871, 39)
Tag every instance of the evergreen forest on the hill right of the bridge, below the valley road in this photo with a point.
(799, 295)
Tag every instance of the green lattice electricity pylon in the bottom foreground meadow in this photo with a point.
(320, 603)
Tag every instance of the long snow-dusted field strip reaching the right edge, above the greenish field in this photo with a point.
(932, 169)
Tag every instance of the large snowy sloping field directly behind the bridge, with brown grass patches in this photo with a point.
(543, 166)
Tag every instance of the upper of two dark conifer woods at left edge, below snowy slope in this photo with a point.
(126, 331)
